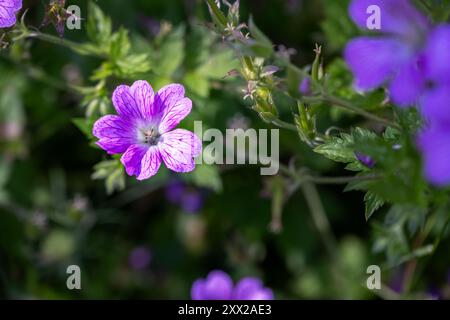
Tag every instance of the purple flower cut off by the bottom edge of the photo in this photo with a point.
(219, 286)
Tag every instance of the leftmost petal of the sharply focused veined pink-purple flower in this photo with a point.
(115, 134)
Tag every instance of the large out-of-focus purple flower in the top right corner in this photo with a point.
(396, 56)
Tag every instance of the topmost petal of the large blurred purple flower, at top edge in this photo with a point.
(396, 16)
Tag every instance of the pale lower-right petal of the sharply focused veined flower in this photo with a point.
(178, 148)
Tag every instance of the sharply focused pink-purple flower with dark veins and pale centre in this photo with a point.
(144, 131)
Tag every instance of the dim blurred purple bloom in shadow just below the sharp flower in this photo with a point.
(190, 200)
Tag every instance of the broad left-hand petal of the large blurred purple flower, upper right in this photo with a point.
(374, 60)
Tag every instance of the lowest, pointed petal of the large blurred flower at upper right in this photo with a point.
(408, 84)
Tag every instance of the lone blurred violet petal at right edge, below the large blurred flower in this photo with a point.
(434, 143)
